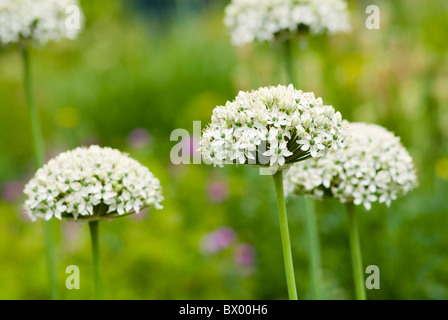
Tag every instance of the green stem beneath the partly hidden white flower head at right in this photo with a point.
(355, 246)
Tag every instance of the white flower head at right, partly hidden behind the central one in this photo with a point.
(373, 167)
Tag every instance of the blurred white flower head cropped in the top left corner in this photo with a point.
(38, 20)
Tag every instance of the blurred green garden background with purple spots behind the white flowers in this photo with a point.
(141, 69)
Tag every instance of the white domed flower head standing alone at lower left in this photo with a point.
(91, 183)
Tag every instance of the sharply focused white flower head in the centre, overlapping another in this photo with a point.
(272, 127)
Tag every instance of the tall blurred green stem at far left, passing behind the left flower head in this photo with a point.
(39, 154)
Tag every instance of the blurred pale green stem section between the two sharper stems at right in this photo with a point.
(314, 249)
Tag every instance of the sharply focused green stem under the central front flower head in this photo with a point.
(286, 243)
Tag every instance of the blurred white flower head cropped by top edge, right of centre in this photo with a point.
(263, 20)
